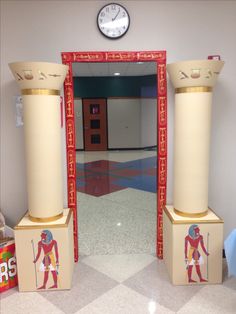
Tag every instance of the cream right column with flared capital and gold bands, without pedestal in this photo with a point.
(193, 82)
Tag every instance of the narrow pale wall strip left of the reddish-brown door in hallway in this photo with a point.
(79, 135)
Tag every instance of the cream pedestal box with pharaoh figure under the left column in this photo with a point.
(45, 253)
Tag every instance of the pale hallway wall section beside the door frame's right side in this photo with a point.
(148, 122)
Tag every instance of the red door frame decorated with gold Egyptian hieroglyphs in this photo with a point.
(118, 56)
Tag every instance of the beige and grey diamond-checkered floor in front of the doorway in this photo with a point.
(123, 284)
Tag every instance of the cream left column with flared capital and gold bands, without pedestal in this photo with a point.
(40, 84)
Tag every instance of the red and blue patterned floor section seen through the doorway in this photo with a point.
(102, 177)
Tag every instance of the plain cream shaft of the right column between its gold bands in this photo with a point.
(191, 151)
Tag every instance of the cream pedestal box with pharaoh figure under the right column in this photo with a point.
(192, 248)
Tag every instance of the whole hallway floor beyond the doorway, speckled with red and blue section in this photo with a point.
(117, 203)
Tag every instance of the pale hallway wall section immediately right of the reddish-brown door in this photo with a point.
(123, 117)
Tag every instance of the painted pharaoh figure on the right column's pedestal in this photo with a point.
(192, 254)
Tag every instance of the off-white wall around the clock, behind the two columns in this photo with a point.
(41, 30)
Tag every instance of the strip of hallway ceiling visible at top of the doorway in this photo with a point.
(108, 69)
